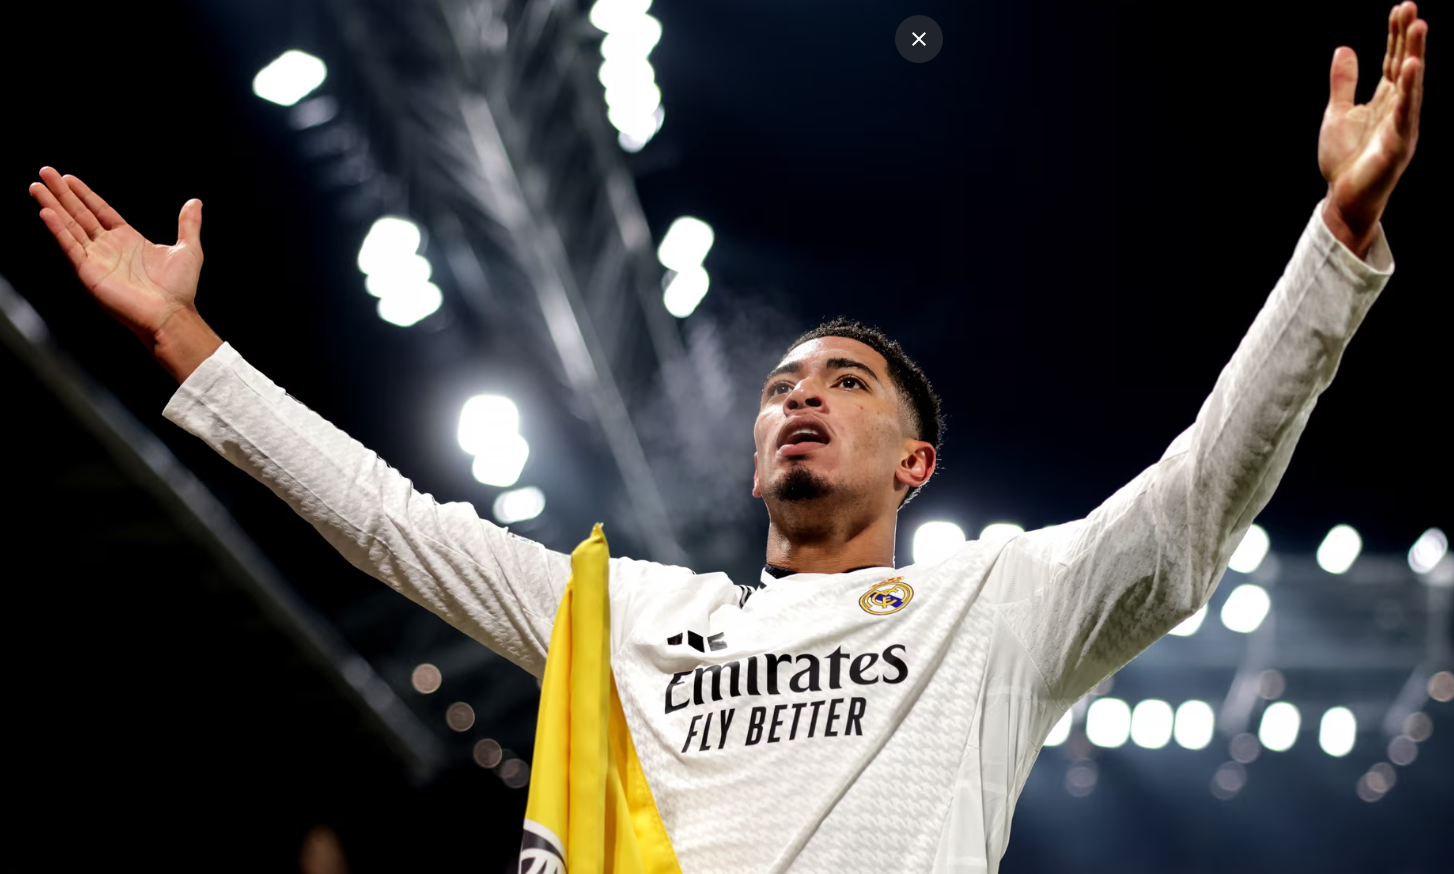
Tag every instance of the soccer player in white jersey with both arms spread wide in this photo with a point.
(840, 713)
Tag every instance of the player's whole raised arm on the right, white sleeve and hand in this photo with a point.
(1088, 597)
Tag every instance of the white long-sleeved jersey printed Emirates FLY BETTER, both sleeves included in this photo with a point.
(866, 722)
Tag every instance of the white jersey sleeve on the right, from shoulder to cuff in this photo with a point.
(1088, 597)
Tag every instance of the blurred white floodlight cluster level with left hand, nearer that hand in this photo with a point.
(396, 274)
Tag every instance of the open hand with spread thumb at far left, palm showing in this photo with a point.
(140, 283)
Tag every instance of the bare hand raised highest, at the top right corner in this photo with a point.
(1365, 149)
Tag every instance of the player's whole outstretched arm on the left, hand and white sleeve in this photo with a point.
(495, 587)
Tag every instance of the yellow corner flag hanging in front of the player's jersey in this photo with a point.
(590, 808)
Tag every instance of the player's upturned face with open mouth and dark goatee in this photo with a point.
(828, 411)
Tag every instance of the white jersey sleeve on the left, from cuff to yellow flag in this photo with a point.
(495, 587)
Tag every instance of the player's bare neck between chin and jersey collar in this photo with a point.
(830, 549)
